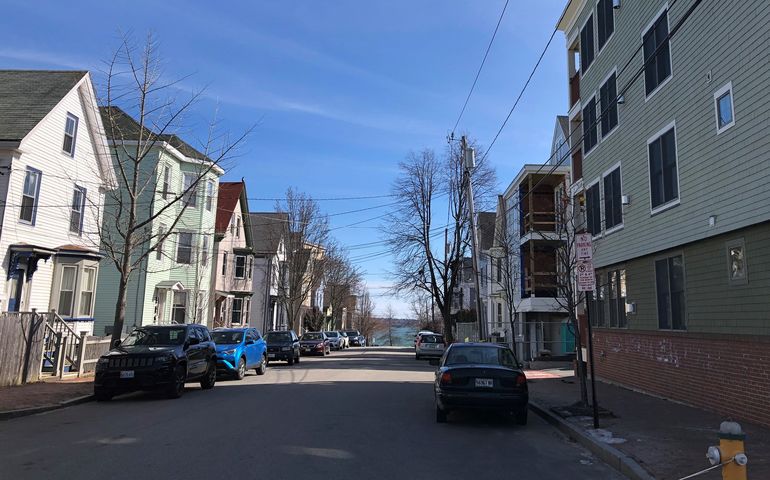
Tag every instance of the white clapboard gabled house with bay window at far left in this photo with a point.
(54, 170)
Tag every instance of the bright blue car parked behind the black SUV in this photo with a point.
(238, 350)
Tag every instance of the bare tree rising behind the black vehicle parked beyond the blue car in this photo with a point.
(306, 236)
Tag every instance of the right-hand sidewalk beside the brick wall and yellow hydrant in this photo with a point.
(667, 439)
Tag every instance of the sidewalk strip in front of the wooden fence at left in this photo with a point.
(42, 395)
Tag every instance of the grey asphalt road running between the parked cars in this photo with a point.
(358, 414)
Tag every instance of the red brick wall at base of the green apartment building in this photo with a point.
(727, 374)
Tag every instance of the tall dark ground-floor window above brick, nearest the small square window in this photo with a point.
(669, 283)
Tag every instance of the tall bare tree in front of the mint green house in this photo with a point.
(136, 205)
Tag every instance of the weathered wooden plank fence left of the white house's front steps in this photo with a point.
(21, 347)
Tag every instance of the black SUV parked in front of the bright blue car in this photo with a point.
(157, 357)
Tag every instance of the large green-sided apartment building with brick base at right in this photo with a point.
(670, 140)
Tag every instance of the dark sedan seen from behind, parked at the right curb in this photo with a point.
(480, 376)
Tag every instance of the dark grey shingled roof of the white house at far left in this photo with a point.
(26, 97)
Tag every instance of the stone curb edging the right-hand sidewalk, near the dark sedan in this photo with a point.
(608, 454)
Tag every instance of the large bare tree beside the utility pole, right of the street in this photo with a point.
(424, 183)
